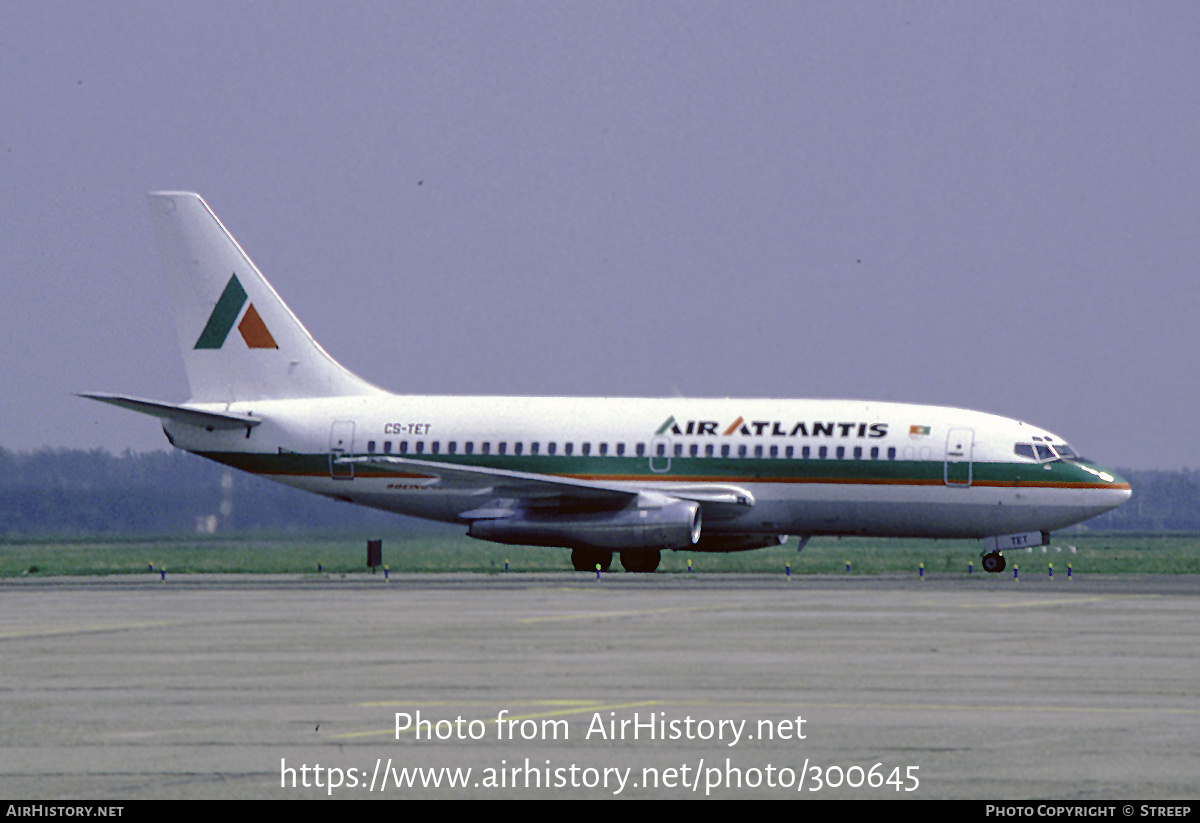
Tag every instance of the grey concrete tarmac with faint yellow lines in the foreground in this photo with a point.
(729, 686)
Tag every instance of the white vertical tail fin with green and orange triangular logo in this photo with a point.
(239, 340)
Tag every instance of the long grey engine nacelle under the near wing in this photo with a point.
(675, 525)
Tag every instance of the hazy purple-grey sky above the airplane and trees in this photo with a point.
(995, 207)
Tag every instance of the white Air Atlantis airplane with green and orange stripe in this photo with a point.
(598, 476)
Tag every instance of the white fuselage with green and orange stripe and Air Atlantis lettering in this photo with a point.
(809, 467)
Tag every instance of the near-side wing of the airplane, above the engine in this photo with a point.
(531, 489)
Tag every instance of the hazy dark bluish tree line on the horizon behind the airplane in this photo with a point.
(81, 492)
